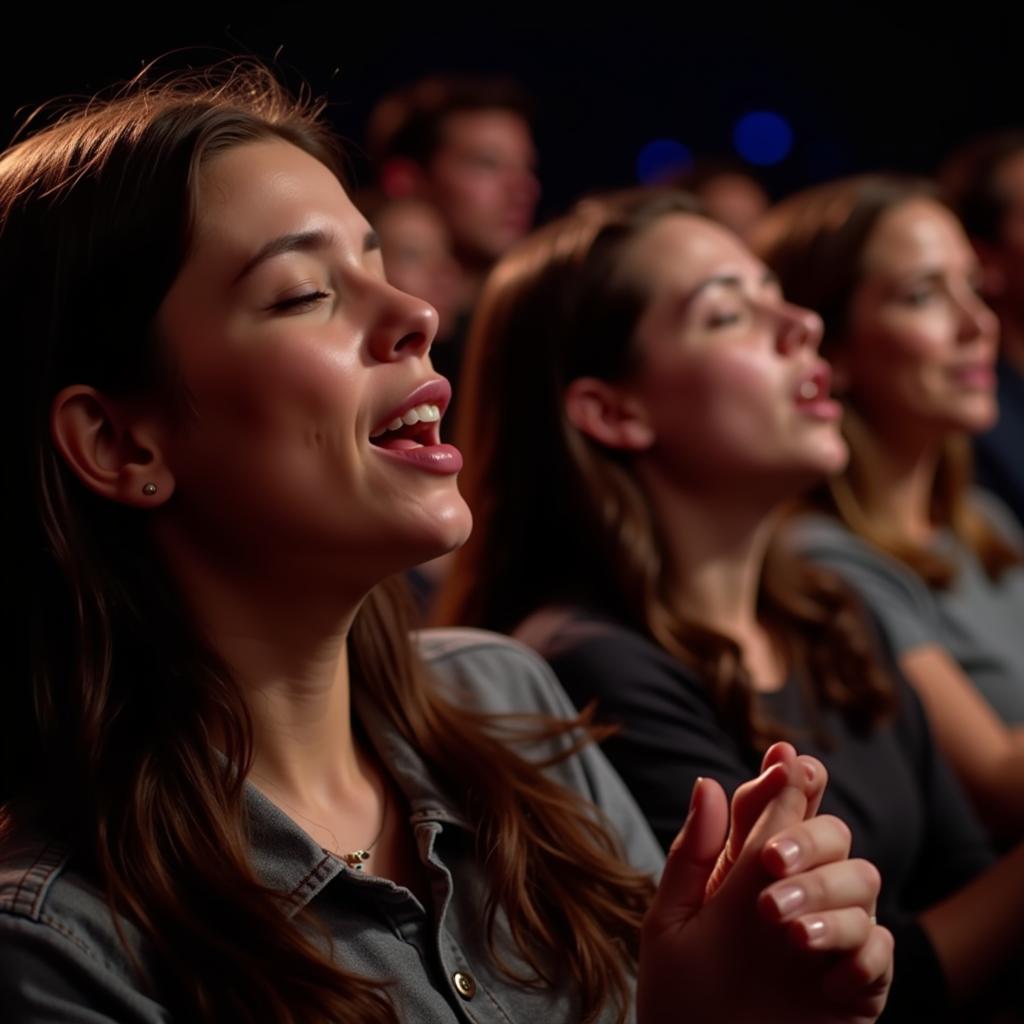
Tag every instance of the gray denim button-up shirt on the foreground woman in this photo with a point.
(62, 960)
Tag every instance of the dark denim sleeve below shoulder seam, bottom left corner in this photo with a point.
(47, 977)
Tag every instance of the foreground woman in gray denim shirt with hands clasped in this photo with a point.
(230, 788)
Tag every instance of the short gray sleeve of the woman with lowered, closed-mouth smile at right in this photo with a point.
(900, 602)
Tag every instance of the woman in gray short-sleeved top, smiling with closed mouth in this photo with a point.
(941, 564)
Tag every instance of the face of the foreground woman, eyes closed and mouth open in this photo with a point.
(312, 436)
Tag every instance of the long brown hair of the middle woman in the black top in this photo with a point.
(561, 520)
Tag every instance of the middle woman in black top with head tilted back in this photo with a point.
(643, 406)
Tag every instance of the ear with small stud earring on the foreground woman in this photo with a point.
(112, 448)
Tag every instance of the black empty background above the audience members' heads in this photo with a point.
(863, 86)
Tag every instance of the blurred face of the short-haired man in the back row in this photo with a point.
(483, 181)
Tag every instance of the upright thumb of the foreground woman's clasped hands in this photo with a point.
(692, 858)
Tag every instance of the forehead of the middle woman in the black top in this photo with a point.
(684, 250)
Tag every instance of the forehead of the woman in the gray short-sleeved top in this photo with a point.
(917, 232)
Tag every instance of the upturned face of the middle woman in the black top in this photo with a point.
(731, 387)
